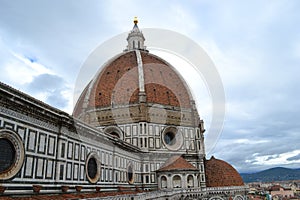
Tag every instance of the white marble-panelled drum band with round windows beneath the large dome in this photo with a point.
(150, 136)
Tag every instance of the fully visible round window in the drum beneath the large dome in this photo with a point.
(172, 138)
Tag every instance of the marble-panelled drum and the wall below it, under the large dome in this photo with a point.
(149, 137)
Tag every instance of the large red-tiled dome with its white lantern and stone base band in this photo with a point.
(136, 86)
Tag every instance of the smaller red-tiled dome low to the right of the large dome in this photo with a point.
(221, 174)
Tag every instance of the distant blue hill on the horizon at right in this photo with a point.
(273, 174)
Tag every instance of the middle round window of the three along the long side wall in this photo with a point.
(92, 167)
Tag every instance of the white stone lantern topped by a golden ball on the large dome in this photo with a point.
(135, 38)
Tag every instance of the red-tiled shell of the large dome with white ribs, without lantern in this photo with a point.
(119, 83)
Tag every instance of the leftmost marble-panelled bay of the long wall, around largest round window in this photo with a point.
(39, 141)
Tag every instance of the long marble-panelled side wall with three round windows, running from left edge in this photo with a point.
(47, 149)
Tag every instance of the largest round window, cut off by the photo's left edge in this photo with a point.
(11, 154)
